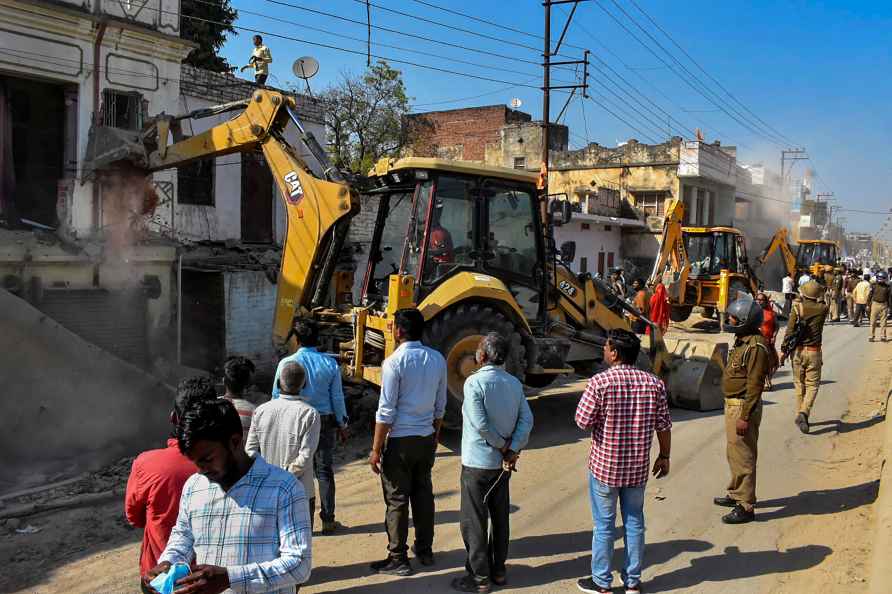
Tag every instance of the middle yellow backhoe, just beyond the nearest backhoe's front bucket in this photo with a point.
(701, 266)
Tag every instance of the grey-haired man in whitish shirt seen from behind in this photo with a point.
(285, 431)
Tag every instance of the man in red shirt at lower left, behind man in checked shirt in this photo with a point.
(157, 477)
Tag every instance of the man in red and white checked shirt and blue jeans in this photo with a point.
(622, 407)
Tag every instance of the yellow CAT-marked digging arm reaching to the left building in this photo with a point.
(318, 211)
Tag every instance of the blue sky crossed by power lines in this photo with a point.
(816, 73)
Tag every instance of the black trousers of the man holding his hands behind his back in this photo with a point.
(487, 551)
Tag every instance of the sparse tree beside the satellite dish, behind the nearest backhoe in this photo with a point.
(364, 116)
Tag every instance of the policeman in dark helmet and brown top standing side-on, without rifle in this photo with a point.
(743, 382)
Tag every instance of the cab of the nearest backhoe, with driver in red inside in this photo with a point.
(436, 224)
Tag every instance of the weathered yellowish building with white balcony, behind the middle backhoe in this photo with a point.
(643, 179)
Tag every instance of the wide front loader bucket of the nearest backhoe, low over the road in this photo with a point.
(693, 373)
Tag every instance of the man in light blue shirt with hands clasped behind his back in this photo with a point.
(496, 426)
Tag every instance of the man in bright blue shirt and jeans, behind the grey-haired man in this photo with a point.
(324, 392)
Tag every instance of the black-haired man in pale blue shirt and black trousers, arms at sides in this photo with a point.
(410, 413)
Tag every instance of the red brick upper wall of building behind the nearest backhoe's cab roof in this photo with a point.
(463, 134)
